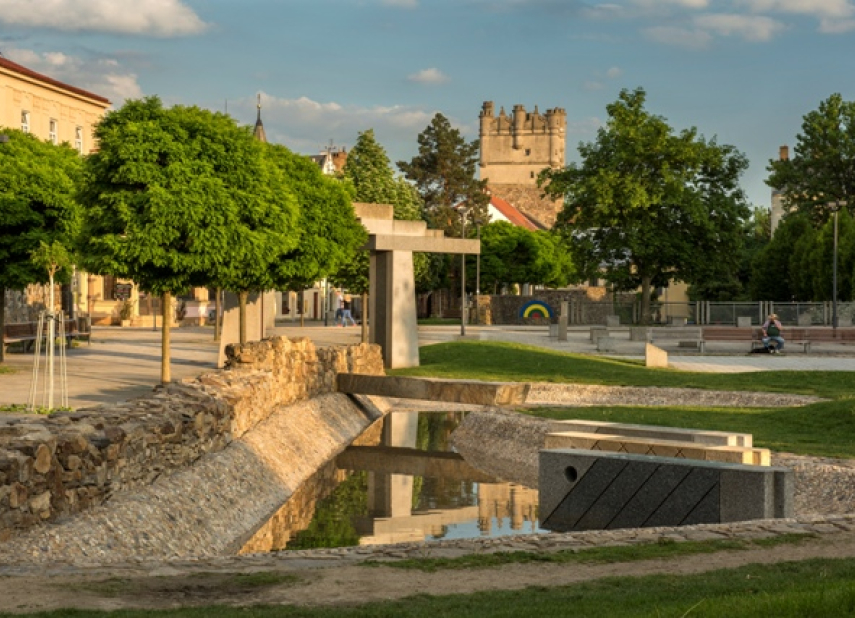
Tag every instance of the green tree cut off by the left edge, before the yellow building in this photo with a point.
(37, 205)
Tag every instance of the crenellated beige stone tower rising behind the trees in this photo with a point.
(515, 149)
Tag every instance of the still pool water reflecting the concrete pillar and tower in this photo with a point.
(398, 483)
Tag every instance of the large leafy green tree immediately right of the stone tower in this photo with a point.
(651, 205)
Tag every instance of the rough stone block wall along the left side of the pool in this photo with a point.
(56, 465)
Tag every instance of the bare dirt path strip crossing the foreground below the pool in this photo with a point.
(244, 583)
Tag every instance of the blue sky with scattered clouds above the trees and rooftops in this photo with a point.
(744, 72)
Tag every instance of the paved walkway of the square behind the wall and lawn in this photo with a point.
(122, 363)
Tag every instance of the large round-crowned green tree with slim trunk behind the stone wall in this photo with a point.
(183, 197)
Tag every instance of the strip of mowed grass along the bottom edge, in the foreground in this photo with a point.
(810, 588)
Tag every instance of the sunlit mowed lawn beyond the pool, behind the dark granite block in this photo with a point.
(824, 429)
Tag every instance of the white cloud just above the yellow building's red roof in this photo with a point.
(102, 76)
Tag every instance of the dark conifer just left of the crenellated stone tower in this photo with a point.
(444, 174)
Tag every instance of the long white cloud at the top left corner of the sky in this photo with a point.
(162, 18)
